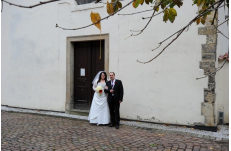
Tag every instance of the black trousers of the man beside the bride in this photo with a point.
(114, 111)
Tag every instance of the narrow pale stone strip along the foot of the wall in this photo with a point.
(222, 134)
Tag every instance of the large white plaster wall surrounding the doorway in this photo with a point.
(165, 90)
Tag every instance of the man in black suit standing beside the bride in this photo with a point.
(115, 97)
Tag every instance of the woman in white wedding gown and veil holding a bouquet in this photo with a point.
(99, 112)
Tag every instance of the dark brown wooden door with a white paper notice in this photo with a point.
(86, 65)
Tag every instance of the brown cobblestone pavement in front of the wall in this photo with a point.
(22, 131)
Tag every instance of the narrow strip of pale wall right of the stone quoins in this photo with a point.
(222, 76)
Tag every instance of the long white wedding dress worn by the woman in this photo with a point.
(99, 112)
